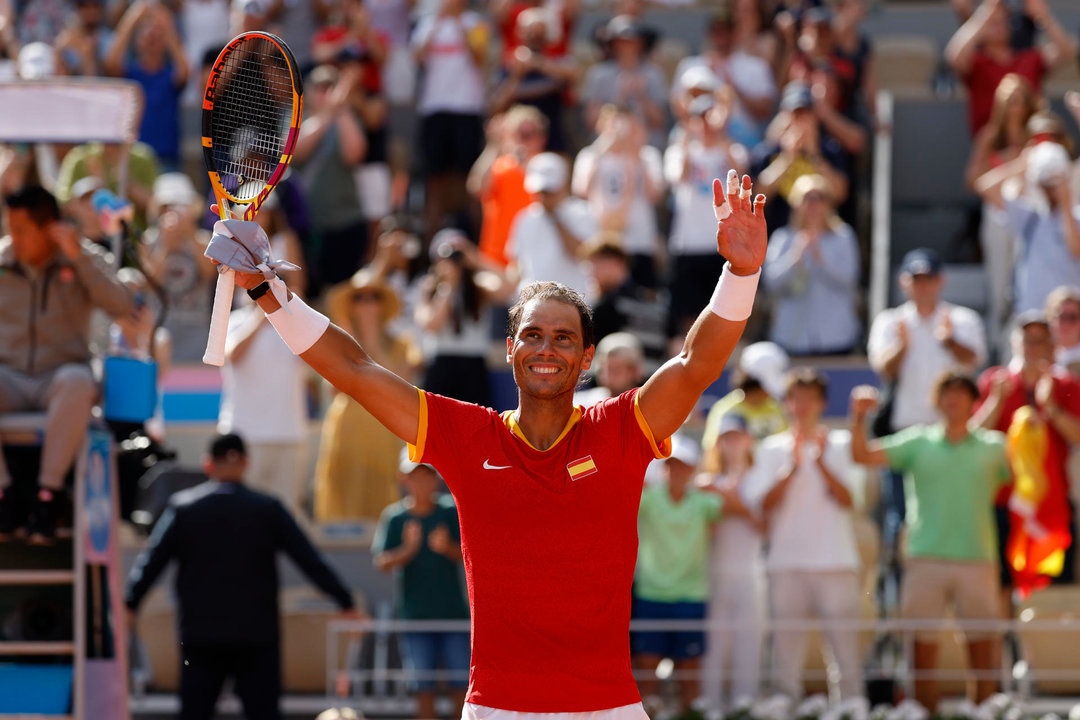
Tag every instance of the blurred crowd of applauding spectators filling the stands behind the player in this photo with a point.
(453, 152)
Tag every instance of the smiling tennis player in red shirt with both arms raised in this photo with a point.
(548, 494)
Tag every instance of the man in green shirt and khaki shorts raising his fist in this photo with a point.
(952, 474)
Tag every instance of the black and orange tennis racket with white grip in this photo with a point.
(251, 120)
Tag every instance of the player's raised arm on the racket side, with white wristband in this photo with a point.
(340, 359)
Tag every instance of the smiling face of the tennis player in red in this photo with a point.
(548, 352)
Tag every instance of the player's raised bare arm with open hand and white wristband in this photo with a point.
(670, 396)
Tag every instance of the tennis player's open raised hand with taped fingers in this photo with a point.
(741, 235)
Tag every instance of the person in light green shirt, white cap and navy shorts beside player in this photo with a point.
(671, 582)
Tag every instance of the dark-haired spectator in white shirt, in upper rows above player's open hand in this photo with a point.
(748, 76)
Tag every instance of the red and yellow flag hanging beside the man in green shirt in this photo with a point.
(1038, 507)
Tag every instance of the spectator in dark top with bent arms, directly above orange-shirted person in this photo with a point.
(534, 78)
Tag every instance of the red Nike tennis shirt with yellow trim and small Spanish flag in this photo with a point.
(550, 544)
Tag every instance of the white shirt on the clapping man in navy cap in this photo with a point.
(926, 358)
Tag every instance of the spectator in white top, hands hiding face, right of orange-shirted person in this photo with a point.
(622, 176)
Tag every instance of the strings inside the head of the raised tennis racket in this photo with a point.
(252, 117)
